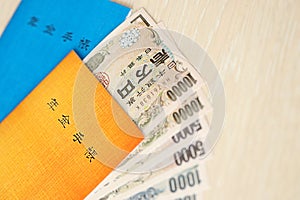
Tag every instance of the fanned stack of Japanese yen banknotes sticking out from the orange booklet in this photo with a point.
(141, 66)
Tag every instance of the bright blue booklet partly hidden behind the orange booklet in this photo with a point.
(41, 33)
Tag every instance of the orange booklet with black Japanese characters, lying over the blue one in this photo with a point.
(64, 138)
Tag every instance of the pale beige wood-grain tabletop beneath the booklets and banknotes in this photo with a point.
(256, 47)
